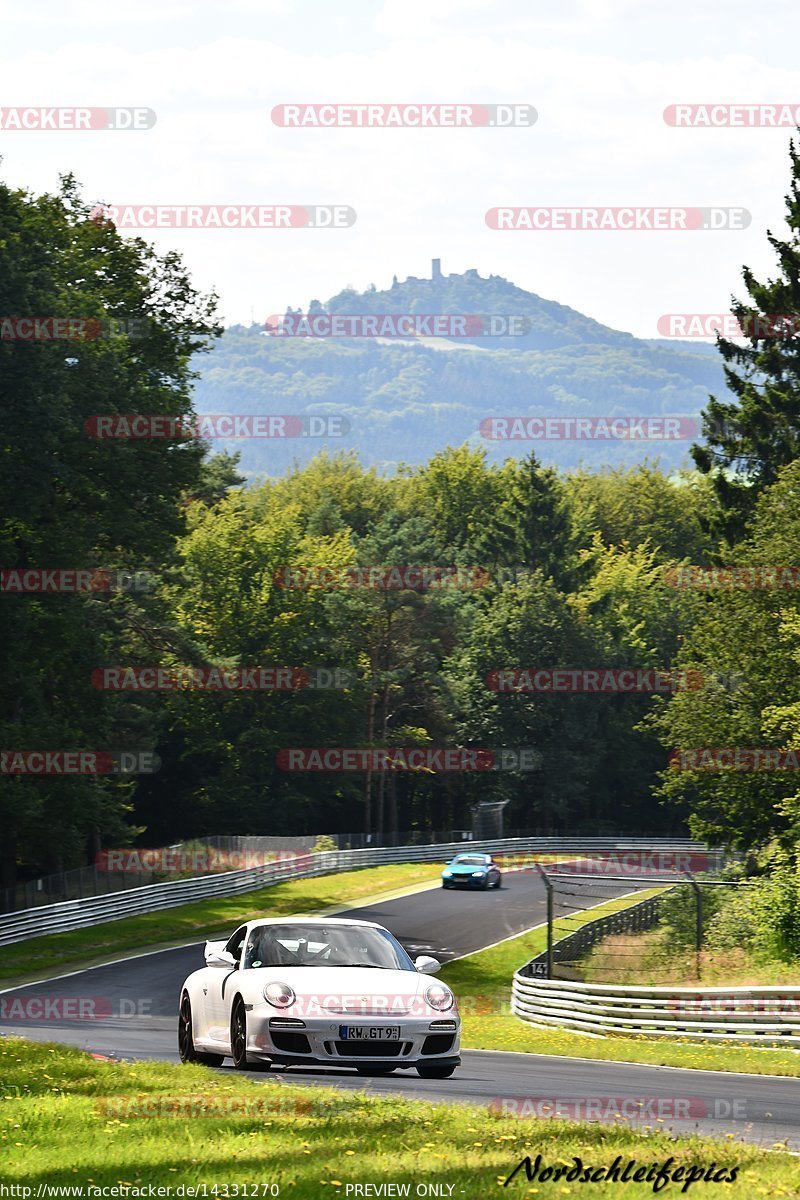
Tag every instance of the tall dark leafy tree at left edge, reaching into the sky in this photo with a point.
(69, 500)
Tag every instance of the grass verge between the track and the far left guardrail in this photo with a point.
(57, 953)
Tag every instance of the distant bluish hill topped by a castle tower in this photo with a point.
(406, 399)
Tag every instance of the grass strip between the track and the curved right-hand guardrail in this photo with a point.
(483, 985)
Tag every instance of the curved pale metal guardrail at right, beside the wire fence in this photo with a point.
(769, 1015)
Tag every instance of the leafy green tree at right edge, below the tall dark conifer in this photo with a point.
(749, 641)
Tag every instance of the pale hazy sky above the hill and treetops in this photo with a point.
(599, 73)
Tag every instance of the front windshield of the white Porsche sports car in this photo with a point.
(326, 946)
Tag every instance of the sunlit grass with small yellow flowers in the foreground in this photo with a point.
(68, 1120)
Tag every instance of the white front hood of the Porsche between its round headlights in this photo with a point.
(347, 991)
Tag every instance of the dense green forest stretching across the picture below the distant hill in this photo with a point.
(538, 569)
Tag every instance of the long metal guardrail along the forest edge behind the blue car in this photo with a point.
(67, 916)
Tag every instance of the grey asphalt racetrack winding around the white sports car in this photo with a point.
(141, 997)
